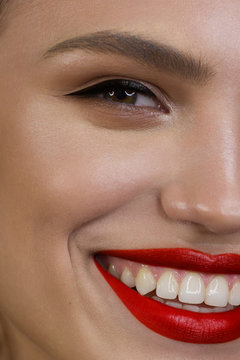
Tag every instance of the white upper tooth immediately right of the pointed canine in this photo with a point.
(167, 286)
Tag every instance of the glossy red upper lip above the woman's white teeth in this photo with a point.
(182, 258)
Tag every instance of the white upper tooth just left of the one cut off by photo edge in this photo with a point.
(217, 292)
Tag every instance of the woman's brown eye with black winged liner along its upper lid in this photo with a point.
(122, 92)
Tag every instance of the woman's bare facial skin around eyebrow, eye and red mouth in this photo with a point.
(72, 186)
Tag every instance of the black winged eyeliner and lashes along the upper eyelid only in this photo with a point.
(110, 84)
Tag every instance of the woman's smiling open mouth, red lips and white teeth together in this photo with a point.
(179, 293)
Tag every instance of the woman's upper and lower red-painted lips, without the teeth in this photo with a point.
(178, 324)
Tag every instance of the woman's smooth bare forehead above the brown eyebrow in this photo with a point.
(205, 28)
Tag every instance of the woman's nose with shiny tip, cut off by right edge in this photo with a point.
(206, 187)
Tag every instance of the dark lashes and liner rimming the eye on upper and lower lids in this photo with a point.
(119, 84)
